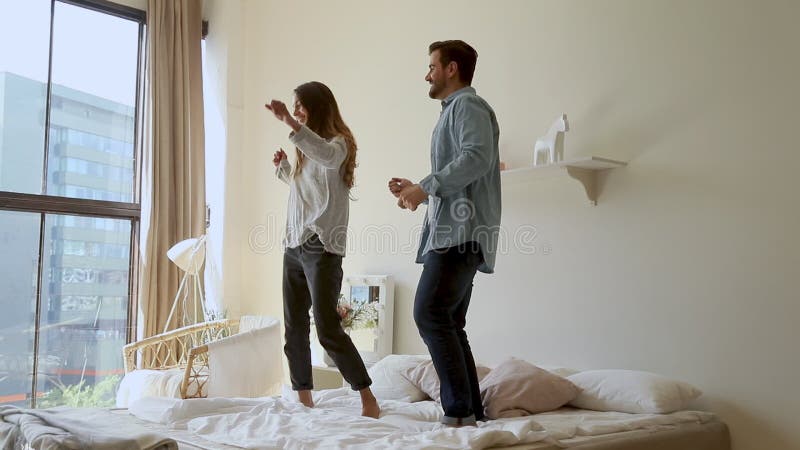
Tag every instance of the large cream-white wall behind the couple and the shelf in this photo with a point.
(685, 267)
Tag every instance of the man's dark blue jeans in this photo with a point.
(440, 311)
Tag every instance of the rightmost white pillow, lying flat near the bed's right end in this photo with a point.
(631, 391)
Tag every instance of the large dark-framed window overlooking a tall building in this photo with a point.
(70, 89)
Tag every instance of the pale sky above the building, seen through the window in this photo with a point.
(92, 52)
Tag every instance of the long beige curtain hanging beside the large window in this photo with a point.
(173, 170)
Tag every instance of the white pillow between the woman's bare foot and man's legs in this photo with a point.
(388, 383)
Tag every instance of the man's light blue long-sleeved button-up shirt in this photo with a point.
(464, 185)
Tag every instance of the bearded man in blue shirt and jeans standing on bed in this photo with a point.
(461, 226)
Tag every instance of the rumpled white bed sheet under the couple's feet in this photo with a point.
(335, 423)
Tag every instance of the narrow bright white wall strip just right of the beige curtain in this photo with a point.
(224, 190)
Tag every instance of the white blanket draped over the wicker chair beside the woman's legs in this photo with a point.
(247, 364)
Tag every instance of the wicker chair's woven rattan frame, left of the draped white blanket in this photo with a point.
(181, 348)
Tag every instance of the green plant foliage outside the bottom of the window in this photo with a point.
(100, 394)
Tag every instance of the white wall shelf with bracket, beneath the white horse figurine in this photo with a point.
(583, 169)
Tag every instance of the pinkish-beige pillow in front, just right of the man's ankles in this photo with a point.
(517, 388)
